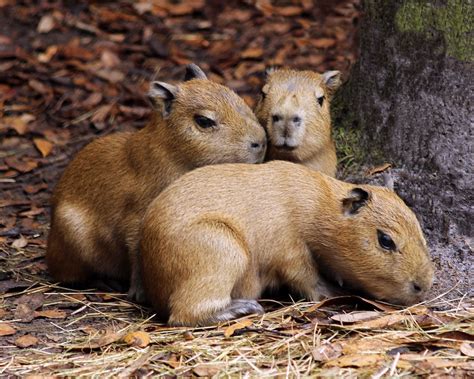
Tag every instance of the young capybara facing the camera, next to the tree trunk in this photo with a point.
(290, 95)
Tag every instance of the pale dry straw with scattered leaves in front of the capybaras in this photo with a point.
(89, 333)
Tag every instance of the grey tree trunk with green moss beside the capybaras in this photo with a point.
(412, 93)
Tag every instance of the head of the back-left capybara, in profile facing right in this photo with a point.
(208, 122)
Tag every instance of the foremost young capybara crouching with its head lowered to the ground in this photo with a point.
(219, 236)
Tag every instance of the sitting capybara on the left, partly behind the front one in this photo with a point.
(100, 200)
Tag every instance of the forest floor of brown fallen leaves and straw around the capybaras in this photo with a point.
(73, 71)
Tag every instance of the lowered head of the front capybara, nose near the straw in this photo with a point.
(382, 251)
